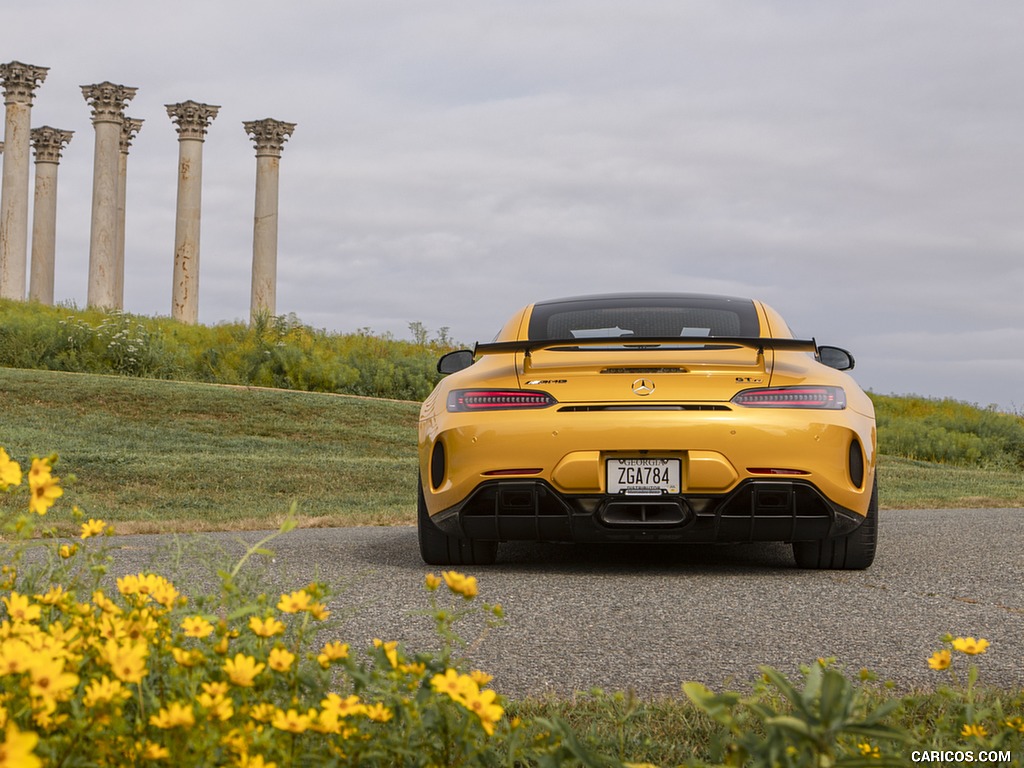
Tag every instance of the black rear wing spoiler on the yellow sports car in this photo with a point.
(644, 344)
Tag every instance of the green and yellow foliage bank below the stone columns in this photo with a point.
(273, 352)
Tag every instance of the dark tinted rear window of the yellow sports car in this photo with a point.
(644, 317)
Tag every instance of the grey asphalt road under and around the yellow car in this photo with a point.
(651, 619)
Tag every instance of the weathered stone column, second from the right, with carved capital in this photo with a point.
(191, 120)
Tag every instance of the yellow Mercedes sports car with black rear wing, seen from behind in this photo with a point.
(649, 418)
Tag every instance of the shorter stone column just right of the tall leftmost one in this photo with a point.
(49, 143)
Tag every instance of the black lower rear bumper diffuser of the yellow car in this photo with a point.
(755, 511)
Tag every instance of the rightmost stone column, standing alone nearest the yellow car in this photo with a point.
(270, 137)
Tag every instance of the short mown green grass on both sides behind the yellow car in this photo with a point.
(161, 456)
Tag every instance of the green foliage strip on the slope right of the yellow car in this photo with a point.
(949, 432)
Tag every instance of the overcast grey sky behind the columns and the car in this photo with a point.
(860, 166)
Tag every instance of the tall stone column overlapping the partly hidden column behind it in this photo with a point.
(108, 102)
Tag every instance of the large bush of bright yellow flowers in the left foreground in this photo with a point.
(134, 672)
